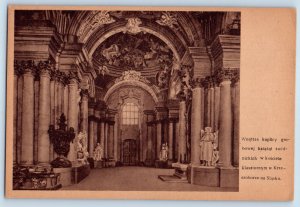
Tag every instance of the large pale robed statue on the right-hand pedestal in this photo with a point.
(208, 147)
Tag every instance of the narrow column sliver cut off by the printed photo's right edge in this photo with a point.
(236, 131)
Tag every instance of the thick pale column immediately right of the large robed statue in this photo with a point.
(225, 131)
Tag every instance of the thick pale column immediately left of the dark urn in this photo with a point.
(44, 116)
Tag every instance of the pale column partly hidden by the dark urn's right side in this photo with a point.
(73, 113)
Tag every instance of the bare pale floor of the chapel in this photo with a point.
(135, 179)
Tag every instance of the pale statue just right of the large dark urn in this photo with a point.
(82, 153)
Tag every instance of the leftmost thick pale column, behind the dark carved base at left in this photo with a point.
(27, 115)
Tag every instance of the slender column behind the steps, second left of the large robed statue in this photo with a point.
(182, 155)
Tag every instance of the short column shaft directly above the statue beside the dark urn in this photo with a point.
(84, 108)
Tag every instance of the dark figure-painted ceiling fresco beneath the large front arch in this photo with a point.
(133, 51)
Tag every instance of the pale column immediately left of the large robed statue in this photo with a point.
(196, 120)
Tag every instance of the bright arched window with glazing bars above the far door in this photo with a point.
(130, 114)
